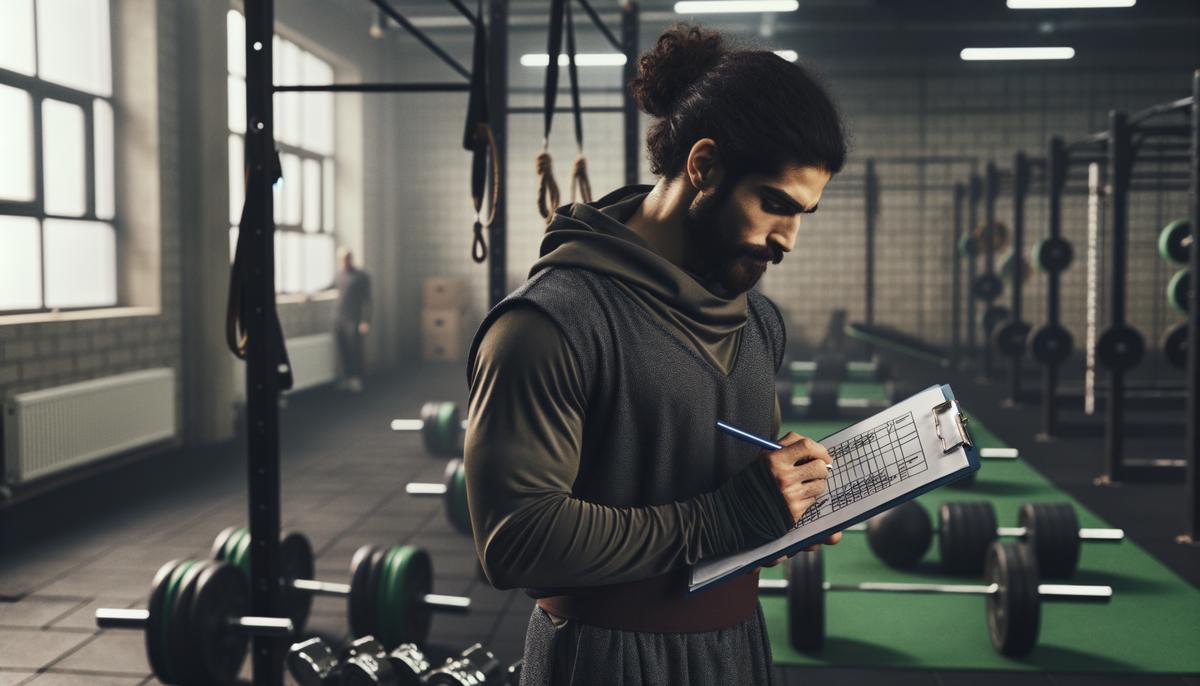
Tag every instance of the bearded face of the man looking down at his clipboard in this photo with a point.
(734, 233)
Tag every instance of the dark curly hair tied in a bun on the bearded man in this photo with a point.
(763, 111)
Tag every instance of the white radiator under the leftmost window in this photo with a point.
(55, 430)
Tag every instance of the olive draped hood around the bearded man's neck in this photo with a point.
(596, 238)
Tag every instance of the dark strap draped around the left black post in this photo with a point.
(254, 214)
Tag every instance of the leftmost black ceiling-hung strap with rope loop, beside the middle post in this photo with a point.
(481, 142)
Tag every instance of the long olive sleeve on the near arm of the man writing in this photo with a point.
(523, 456)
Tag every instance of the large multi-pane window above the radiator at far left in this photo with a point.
(58, 239)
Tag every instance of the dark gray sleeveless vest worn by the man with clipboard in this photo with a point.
(652, 401)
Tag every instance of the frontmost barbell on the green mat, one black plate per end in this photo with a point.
(1011, 587)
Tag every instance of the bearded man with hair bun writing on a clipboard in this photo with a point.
(595, 474)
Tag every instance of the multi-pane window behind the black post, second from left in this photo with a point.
(304, 136)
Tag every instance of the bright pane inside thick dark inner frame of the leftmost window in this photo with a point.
(63, 149)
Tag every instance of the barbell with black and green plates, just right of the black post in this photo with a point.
(391, 595)
